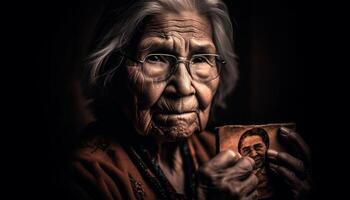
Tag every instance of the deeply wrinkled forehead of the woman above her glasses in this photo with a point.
(183, 34)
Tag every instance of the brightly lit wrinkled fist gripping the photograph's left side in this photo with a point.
(227, 176)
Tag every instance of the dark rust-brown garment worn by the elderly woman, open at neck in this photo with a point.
(105, 168)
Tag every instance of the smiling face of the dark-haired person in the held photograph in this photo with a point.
(254, 147)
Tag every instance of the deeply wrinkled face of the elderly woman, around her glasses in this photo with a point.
(174, 108)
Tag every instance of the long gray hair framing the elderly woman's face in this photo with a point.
(123, 29)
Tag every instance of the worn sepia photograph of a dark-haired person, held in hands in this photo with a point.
(263, 144)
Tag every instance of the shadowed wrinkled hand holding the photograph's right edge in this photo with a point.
(293, 169)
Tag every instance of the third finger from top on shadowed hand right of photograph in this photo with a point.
(289, 177)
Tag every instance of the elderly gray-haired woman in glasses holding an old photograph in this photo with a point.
(153, 78)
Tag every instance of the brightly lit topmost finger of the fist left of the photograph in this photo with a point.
(225, 159)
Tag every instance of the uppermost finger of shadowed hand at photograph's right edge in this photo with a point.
(296, 141)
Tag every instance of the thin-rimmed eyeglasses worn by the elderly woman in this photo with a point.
(201, 67)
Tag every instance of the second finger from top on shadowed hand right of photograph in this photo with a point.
(289, 161)
